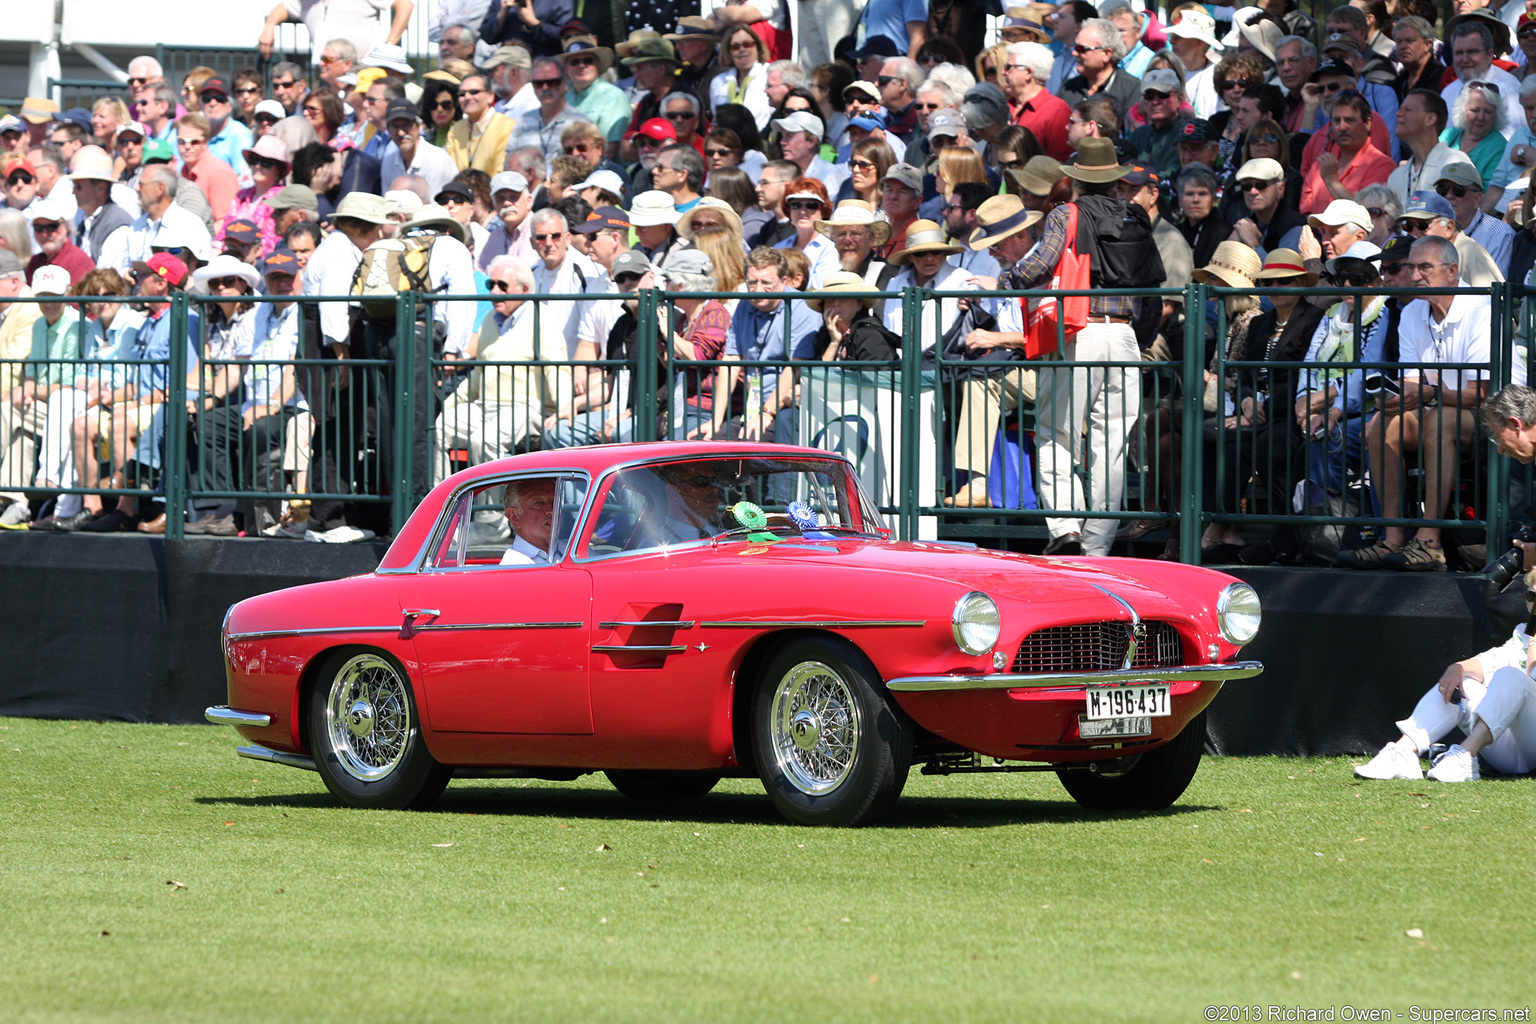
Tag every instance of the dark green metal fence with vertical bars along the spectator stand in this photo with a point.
(380, 429)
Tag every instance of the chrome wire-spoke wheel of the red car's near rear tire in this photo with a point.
(368, 718)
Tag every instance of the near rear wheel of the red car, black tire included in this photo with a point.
(366, 735)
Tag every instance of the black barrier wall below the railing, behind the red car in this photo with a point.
(127, 629)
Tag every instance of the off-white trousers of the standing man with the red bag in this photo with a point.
(1093, 405)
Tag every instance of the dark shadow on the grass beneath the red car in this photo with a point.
(727, 808)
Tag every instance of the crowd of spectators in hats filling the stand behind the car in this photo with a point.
(664, 147)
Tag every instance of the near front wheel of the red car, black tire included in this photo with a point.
(832, 745)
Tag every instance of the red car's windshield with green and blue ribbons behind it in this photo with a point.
(706, 501)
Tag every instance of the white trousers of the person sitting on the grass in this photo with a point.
(1506, 704)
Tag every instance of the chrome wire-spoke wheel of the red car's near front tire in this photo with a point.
(816, 728)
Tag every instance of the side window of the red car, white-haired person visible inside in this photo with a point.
(525, 521)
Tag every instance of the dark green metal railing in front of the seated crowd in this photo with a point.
(899, 421)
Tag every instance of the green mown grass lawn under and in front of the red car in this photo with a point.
(148, 874)
